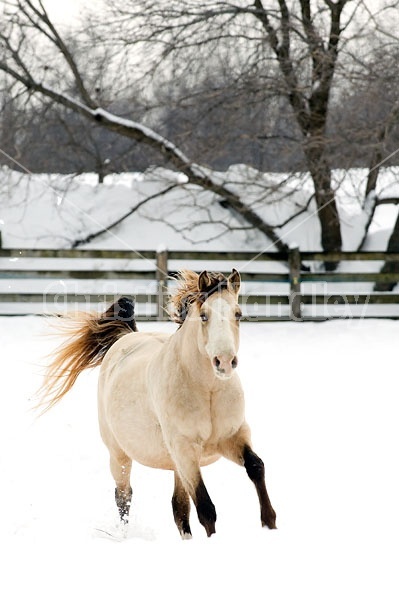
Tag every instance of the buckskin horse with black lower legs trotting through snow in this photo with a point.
(169, 401)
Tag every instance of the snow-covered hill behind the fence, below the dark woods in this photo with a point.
(56, 211)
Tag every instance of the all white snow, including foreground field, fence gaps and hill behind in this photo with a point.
(321, 401)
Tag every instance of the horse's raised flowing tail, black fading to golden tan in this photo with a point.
(91, 337)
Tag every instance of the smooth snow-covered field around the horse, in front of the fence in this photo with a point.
(322, 403)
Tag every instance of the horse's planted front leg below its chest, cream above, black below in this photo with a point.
(186, 456)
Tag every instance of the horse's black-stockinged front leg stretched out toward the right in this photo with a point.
(238, 449)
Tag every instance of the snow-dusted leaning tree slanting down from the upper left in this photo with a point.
(30, 17)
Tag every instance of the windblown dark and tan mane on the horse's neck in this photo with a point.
(188, 292)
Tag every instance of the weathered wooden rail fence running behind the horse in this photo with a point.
(39, 281)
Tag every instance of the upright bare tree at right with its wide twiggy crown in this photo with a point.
(295, 53)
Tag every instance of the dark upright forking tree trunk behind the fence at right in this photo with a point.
(310, 110)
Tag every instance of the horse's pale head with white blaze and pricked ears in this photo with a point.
(219, 316)
